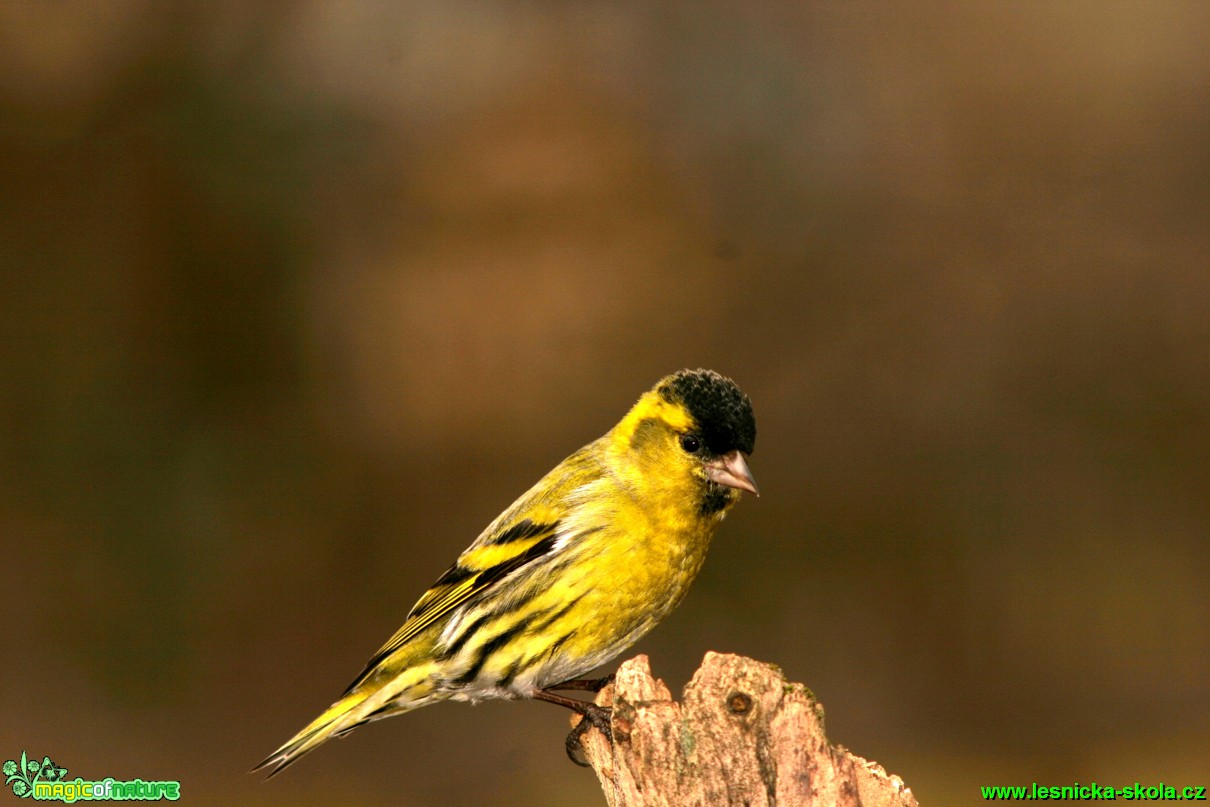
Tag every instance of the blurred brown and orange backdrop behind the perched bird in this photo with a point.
(296, 297)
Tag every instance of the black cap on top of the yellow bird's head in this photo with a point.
(723, 413)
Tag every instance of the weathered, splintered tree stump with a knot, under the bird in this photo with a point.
(742, 736)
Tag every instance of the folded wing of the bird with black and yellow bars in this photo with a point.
(495, 555)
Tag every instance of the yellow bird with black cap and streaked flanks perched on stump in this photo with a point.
(573, 574)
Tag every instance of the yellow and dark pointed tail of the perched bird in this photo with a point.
(370, 701)
